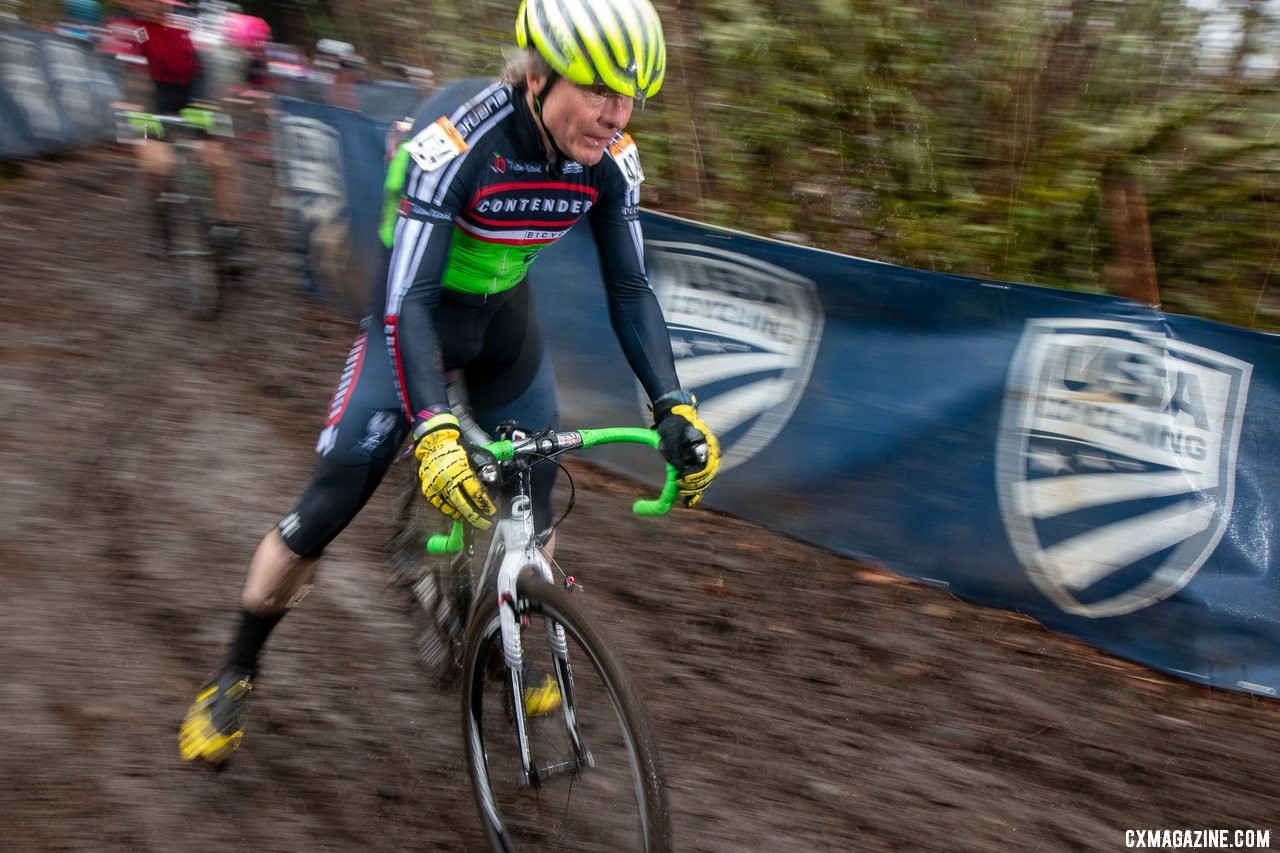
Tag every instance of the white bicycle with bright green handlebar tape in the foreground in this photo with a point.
(588, 774)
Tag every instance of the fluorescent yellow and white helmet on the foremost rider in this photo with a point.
(615, 43)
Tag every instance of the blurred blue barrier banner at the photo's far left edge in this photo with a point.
(56, 93)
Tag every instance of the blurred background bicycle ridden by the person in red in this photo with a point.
(186, 204)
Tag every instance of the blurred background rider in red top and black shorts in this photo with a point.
(177, 81)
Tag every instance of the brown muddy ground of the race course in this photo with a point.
(804, 703)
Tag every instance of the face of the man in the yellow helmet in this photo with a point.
(583, 118)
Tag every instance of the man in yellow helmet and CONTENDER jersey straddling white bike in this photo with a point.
(492, 172)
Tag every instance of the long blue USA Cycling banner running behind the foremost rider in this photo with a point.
(1098, 466)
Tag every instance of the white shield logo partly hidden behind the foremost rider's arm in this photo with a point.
(744, 334)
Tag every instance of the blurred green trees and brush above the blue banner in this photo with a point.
(1096, 145)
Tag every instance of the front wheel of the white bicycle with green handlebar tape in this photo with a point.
(600, 808)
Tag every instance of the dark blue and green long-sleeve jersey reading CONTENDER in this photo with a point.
(474, 204)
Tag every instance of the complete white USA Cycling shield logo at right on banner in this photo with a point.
(1117, 460)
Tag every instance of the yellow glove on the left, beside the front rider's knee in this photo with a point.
(446, 475)
